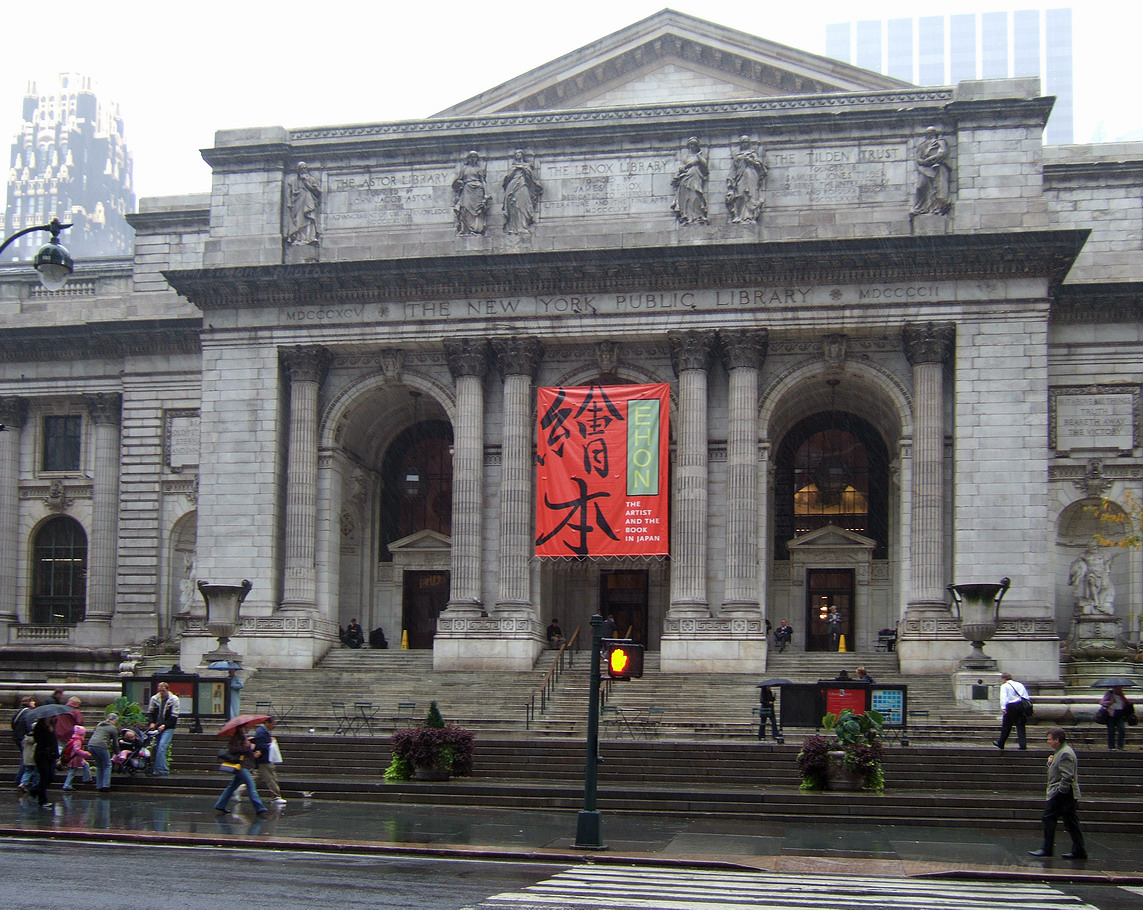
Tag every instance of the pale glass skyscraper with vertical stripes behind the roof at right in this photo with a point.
(937, 51)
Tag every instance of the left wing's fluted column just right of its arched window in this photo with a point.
(106, 411)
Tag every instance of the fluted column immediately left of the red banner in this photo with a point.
(518, 360)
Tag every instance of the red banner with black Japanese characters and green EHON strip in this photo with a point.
(603, 472)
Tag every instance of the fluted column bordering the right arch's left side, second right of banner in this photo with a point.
(744, 354)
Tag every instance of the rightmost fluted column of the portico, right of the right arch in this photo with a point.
(929, 347)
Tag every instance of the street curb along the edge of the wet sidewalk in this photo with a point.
(539, 856)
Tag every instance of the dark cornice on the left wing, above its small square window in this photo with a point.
(101, 340)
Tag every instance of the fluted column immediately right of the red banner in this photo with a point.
(691, 355)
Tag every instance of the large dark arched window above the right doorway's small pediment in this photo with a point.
(833, 469)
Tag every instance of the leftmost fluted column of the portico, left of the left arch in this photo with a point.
(306, 369)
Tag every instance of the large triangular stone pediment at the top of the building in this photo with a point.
(670, 59)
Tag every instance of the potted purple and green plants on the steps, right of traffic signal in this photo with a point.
(851, 760)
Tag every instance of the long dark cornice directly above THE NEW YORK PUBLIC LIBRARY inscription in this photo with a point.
(950, 258)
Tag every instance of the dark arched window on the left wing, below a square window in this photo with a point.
(60, 573)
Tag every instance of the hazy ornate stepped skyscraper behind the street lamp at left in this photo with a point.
(70, 161)
